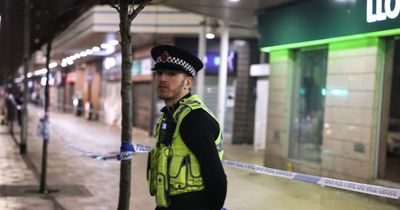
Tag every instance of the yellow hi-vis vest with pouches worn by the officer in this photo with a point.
(174, 169)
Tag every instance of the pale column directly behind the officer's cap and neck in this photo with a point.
(202, 55)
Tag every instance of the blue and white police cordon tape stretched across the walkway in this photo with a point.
(127, 150)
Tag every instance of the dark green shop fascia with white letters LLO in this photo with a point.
(315, 21)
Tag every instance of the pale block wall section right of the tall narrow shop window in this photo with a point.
(350, 119)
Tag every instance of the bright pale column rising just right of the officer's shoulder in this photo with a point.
(222, 74)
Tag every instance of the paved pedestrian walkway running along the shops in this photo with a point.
(77, 182)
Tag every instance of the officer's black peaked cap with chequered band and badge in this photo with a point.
(168, 57)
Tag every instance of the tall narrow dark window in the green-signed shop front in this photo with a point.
(307, 105)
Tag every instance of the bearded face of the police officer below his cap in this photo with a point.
(172, 85)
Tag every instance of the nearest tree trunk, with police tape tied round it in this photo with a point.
(126, 84)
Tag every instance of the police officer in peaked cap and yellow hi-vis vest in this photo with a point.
(184, 168)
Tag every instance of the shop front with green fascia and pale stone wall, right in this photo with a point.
(334, 95)
